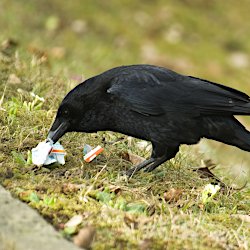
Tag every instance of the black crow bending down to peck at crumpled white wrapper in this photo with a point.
(155, 104)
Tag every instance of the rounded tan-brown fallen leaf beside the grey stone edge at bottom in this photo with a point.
(85, 237)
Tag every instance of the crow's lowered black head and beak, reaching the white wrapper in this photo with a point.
(78, 111)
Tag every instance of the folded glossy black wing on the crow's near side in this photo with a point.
(153, 94)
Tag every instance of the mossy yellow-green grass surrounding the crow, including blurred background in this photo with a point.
(47, 54)
